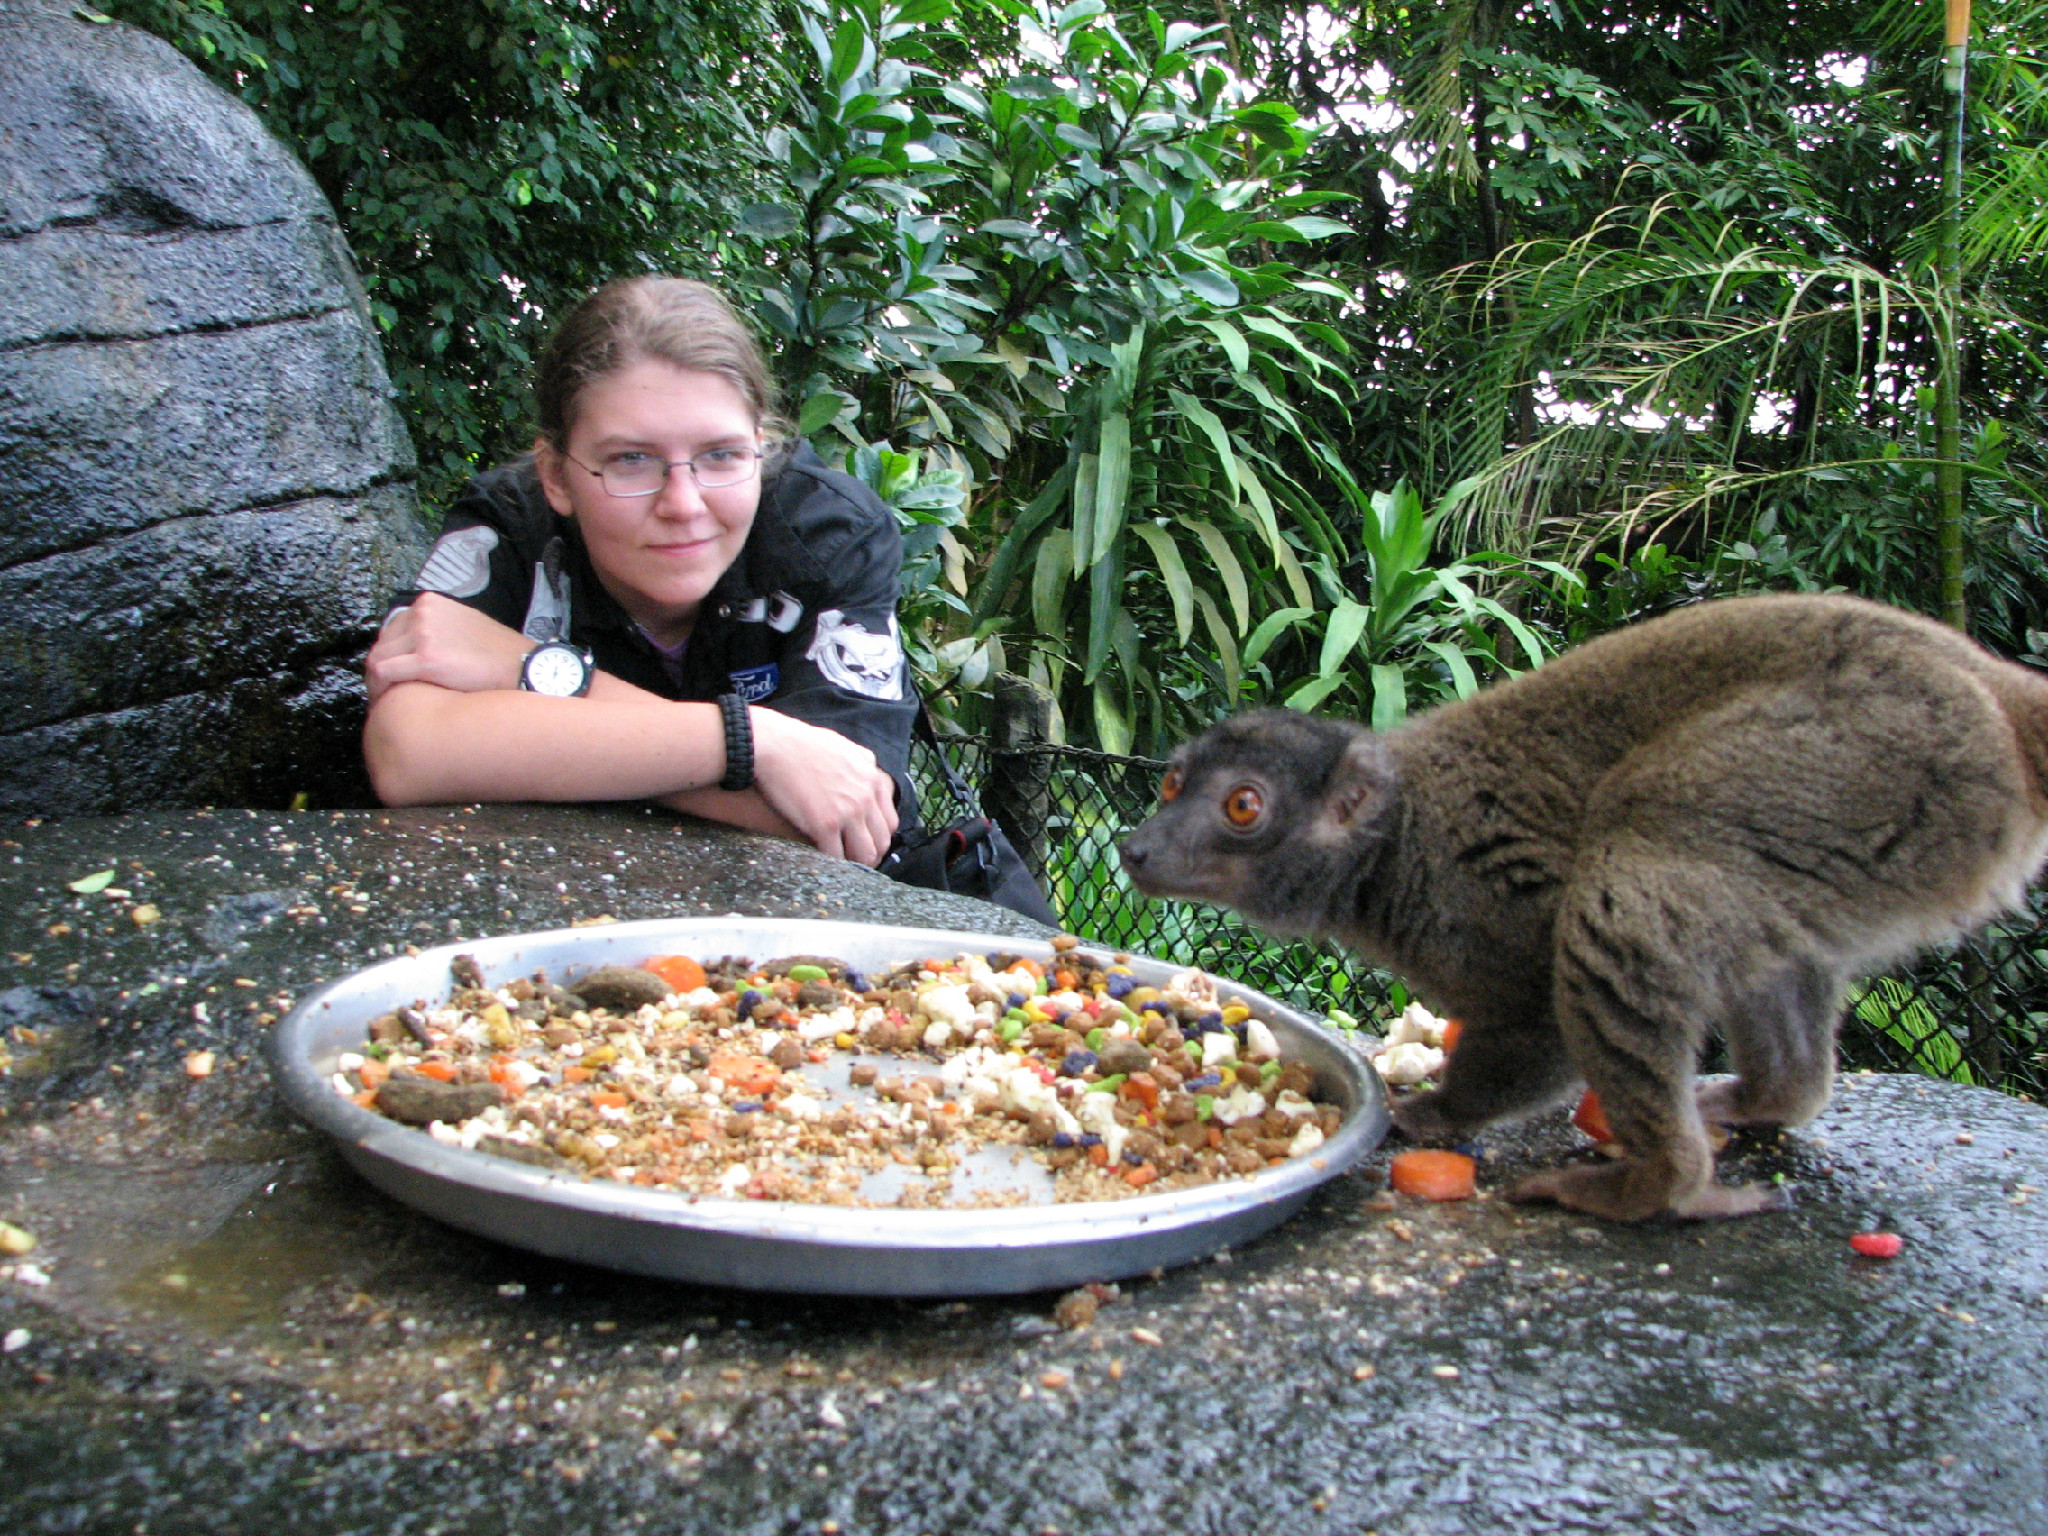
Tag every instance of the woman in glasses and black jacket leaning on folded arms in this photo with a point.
(658, 603)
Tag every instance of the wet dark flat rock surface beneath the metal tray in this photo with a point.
(224, 1330)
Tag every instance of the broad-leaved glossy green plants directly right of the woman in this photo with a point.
(1068, 282)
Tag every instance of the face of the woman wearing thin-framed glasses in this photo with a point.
(660, 554)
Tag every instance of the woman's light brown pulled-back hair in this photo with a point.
(638, 318)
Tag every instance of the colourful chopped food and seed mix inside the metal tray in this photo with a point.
(984, 1080)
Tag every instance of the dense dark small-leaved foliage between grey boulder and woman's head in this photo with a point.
(490, 163)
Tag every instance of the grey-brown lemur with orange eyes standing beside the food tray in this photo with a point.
(1709, 822)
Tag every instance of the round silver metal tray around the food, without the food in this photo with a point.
(785, 1246)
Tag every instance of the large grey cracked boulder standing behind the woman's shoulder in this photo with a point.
(208, 493)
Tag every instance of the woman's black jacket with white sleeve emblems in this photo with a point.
(804, 622)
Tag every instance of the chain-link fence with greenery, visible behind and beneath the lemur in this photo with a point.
(1971, 1013)
